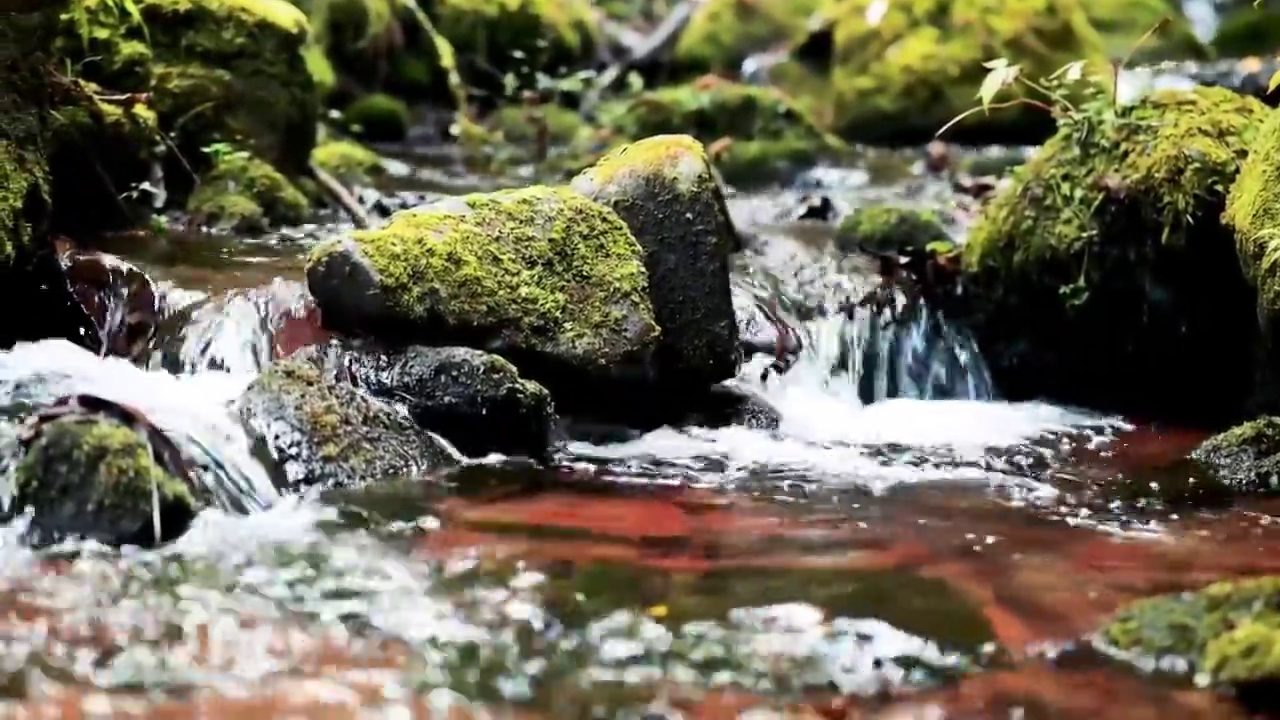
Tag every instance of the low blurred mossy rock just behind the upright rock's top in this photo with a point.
(758, 134)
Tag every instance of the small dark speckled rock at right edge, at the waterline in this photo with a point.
(1246, 458)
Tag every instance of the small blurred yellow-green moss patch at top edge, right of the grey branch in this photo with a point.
(725, 33)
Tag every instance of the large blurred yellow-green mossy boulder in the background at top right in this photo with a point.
(898, 72)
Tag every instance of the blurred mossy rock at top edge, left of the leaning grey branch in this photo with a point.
(501, 39)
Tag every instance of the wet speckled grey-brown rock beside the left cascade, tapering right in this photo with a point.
(321, 432)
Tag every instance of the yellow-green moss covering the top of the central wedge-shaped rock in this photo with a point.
(542, 263)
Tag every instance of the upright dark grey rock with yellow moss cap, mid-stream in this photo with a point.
(665, 192)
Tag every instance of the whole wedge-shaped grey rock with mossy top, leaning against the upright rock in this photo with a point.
(542, 276)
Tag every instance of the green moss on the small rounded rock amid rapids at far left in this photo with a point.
(112, 458)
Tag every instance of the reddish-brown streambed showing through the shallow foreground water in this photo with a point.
(1040, 581)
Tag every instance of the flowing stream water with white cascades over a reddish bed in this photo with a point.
(906, 545)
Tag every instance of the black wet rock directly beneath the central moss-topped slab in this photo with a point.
(476, 400)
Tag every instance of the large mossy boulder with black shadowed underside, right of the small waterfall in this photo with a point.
(1107, 259)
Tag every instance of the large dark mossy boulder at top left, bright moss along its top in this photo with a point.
(218, 71)
